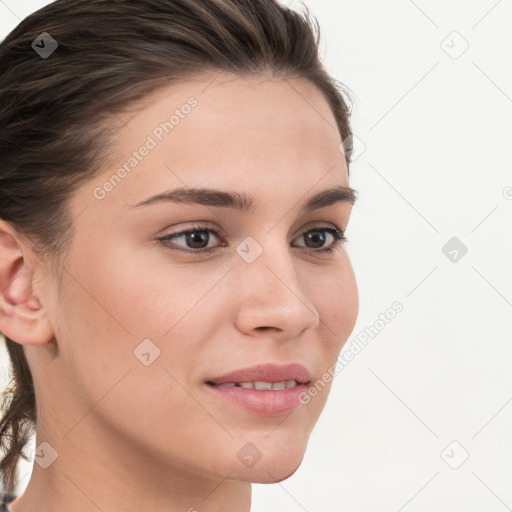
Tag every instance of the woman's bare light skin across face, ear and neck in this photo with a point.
(130, 436)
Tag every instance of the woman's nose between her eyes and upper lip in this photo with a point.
(270, 296)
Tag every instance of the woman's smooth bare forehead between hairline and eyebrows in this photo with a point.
(270, 135)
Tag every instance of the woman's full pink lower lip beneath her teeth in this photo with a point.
(266, 402)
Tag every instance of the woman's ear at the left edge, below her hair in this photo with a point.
(23, 317)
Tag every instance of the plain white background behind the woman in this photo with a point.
(433, 161)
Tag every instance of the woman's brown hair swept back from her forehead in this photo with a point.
(55, 112)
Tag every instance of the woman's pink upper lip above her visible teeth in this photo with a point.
(266, 373)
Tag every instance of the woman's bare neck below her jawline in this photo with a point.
(91, 474)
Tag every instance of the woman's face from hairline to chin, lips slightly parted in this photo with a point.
(143, 324)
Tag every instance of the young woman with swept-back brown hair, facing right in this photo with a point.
(175, 289)
